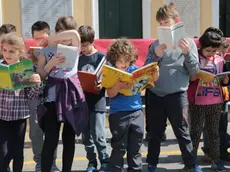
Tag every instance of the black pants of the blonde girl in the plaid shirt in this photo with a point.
(12, 136)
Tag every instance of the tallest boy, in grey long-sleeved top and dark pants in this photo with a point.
(168, 99)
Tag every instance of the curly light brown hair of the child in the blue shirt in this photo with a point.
(121, 47)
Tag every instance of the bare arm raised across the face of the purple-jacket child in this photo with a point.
(72, 35)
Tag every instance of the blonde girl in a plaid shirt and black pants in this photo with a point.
(14, 108)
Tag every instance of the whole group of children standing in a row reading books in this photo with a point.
(58, 98)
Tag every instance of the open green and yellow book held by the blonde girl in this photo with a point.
(16, 76)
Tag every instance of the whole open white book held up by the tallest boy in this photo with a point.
(171, 35)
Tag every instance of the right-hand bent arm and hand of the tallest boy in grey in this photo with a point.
(191, 60)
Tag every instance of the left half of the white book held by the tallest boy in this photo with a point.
(165, 37)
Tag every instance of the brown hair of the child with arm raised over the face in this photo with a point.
(65, 23)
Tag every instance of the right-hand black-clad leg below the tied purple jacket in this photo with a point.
(68, 139)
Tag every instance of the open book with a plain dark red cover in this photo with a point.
(89, 80)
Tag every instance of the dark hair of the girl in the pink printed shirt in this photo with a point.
(212, 37)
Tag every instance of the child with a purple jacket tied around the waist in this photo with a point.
(64, 99)
